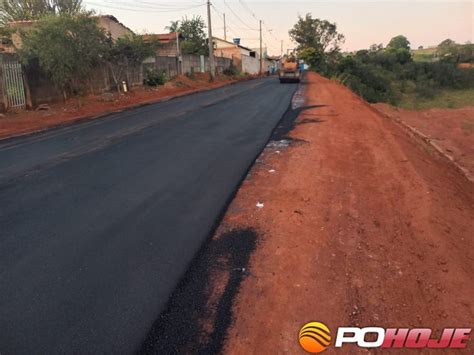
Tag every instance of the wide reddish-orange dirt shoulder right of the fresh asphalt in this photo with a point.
(362, 225)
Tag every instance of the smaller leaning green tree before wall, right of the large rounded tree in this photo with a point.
(126, 52)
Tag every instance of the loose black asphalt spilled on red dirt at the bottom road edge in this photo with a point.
(180, 328)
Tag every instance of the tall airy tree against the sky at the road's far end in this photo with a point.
(318, 41)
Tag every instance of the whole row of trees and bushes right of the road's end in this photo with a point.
(381, 74)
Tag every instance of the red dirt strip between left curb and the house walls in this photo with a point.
(95, 105)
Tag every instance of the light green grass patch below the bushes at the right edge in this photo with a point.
(444, 99)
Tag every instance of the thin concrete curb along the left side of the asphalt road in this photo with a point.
(124, 109)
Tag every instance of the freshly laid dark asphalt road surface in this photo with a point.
(99, 220)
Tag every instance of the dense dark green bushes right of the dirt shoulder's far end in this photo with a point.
(386, 75)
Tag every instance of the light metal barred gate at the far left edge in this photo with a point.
(13, 86)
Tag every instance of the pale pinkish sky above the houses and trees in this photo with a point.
(362, 22)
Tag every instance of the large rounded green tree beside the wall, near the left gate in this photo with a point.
(67, 49)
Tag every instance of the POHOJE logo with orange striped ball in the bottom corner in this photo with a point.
(315, 337)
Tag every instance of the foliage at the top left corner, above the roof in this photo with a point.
(21, 10)
